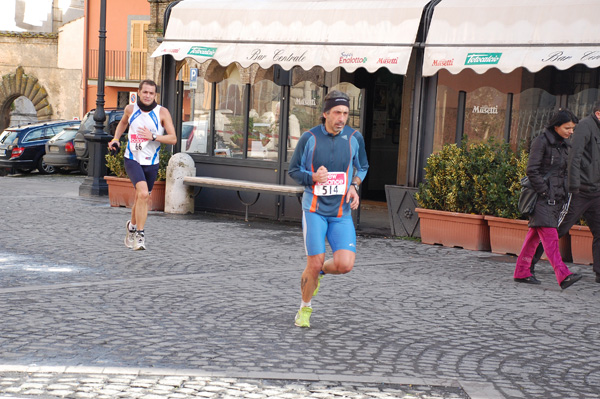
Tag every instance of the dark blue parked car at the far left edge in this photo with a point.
(22, 148)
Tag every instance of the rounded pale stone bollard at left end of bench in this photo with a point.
(178, 197)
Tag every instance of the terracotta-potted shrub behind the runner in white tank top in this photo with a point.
(120, 190)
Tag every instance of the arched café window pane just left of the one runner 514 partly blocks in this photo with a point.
(263, 126)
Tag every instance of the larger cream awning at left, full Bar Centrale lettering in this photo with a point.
(328, 33)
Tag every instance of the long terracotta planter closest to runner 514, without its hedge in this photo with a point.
(452, 229)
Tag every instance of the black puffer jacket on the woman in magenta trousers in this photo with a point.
(546, 150)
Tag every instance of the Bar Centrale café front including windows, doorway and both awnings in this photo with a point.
(418, 79)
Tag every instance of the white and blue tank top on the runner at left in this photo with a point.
(144, 151)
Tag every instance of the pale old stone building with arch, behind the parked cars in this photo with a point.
(40, 67)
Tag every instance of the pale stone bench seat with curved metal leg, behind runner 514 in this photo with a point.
(244, 185)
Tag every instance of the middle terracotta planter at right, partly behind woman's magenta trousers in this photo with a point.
(507, 236)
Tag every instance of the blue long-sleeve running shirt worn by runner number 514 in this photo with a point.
(342, 152)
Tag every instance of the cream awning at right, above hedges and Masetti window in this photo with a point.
(509, 34)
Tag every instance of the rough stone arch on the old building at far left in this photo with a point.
(14, 85)
